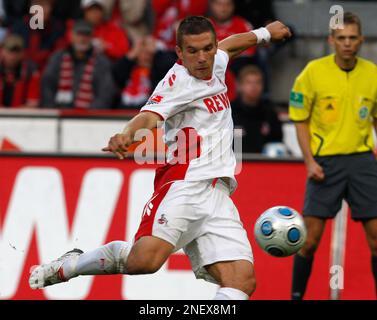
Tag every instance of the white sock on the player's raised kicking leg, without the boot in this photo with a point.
(108, 259)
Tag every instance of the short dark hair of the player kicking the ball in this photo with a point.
(194, 25)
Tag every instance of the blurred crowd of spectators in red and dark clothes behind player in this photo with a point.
(110, 54)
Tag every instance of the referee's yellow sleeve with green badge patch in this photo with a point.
(301, 97)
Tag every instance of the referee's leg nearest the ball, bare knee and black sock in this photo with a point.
(303, 261)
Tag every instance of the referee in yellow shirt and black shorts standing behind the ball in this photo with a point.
(333, 104)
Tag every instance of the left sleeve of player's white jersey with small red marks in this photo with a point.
(171, 96)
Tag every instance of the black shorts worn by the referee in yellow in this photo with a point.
(350, 177)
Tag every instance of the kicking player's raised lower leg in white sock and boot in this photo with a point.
(108, 259)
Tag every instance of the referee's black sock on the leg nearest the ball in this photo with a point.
(302, 268)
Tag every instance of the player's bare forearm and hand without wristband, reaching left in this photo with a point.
(119, 143)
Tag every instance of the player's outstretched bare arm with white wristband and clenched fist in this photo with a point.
(235, 44)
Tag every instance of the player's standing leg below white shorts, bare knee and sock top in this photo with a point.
(236, 279)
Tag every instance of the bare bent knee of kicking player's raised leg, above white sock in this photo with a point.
(147, 255)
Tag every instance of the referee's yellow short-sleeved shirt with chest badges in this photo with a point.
(338, 104)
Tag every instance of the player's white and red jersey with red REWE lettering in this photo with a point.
(198, 125)
